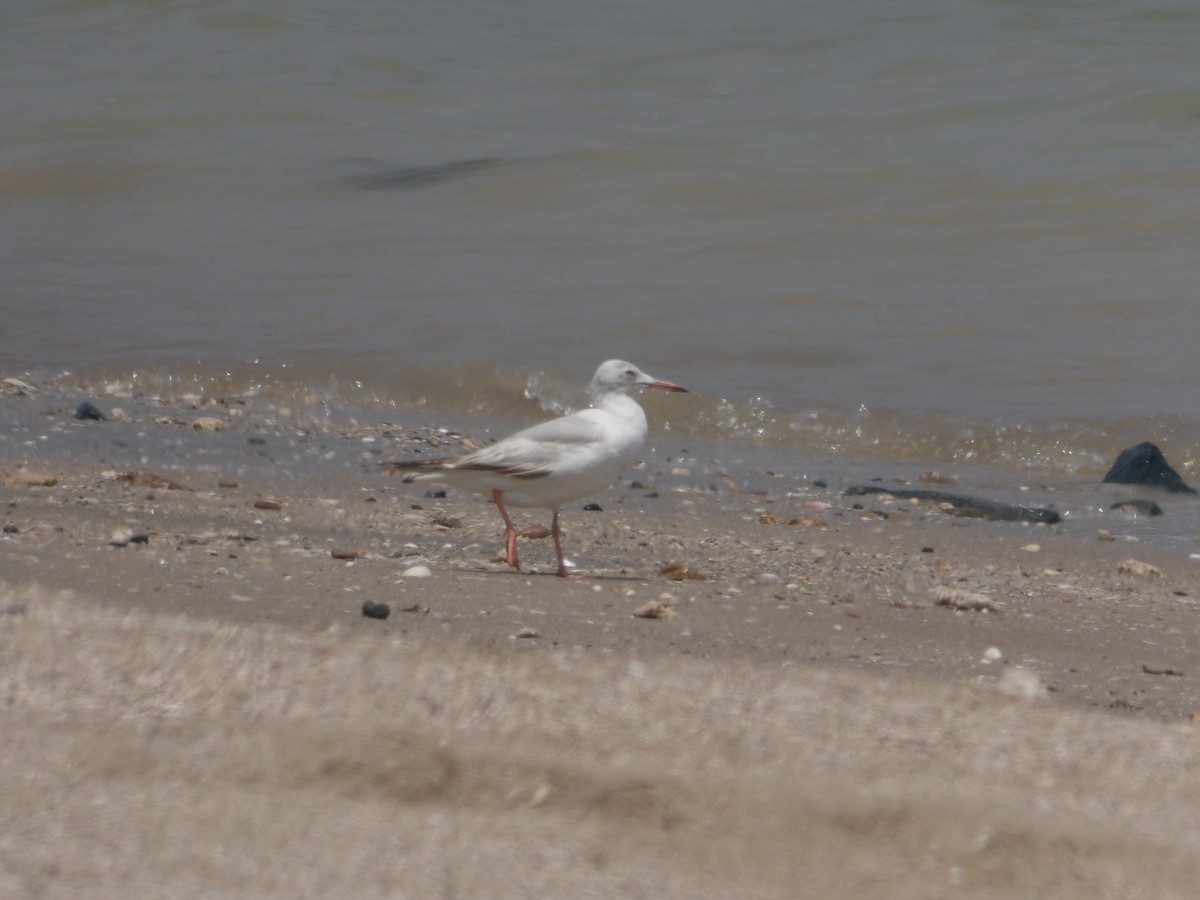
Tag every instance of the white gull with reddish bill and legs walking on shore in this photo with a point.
(557, 461)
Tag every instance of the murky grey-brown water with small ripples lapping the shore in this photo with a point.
(945, 231)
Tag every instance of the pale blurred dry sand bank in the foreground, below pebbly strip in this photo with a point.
(157, 757)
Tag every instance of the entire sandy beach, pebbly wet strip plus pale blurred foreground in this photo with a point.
(751, 693)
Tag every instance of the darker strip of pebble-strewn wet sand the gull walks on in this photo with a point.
(266, 515)
